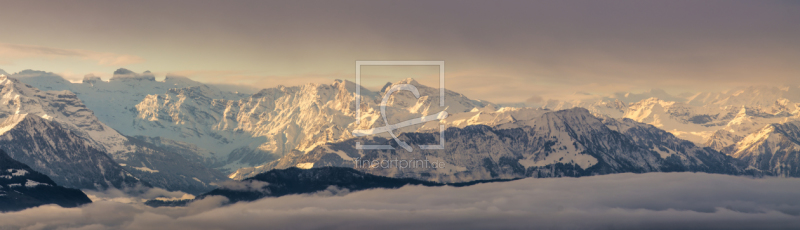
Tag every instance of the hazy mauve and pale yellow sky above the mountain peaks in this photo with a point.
(501, 51)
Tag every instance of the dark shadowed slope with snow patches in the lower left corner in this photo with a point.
(22, 187)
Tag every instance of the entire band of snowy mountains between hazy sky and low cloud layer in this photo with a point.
(182, 135)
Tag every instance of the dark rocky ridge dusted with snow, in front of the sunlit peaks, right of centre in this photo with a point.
(564, 143)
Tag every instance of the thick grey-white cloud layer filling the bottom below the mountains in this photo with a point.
(622, 201)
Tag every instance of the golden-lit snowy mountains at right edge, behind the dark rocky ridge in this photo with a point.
(743, 123)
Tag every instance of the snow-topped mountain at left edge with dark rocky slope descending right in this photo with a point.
(53, 131)
